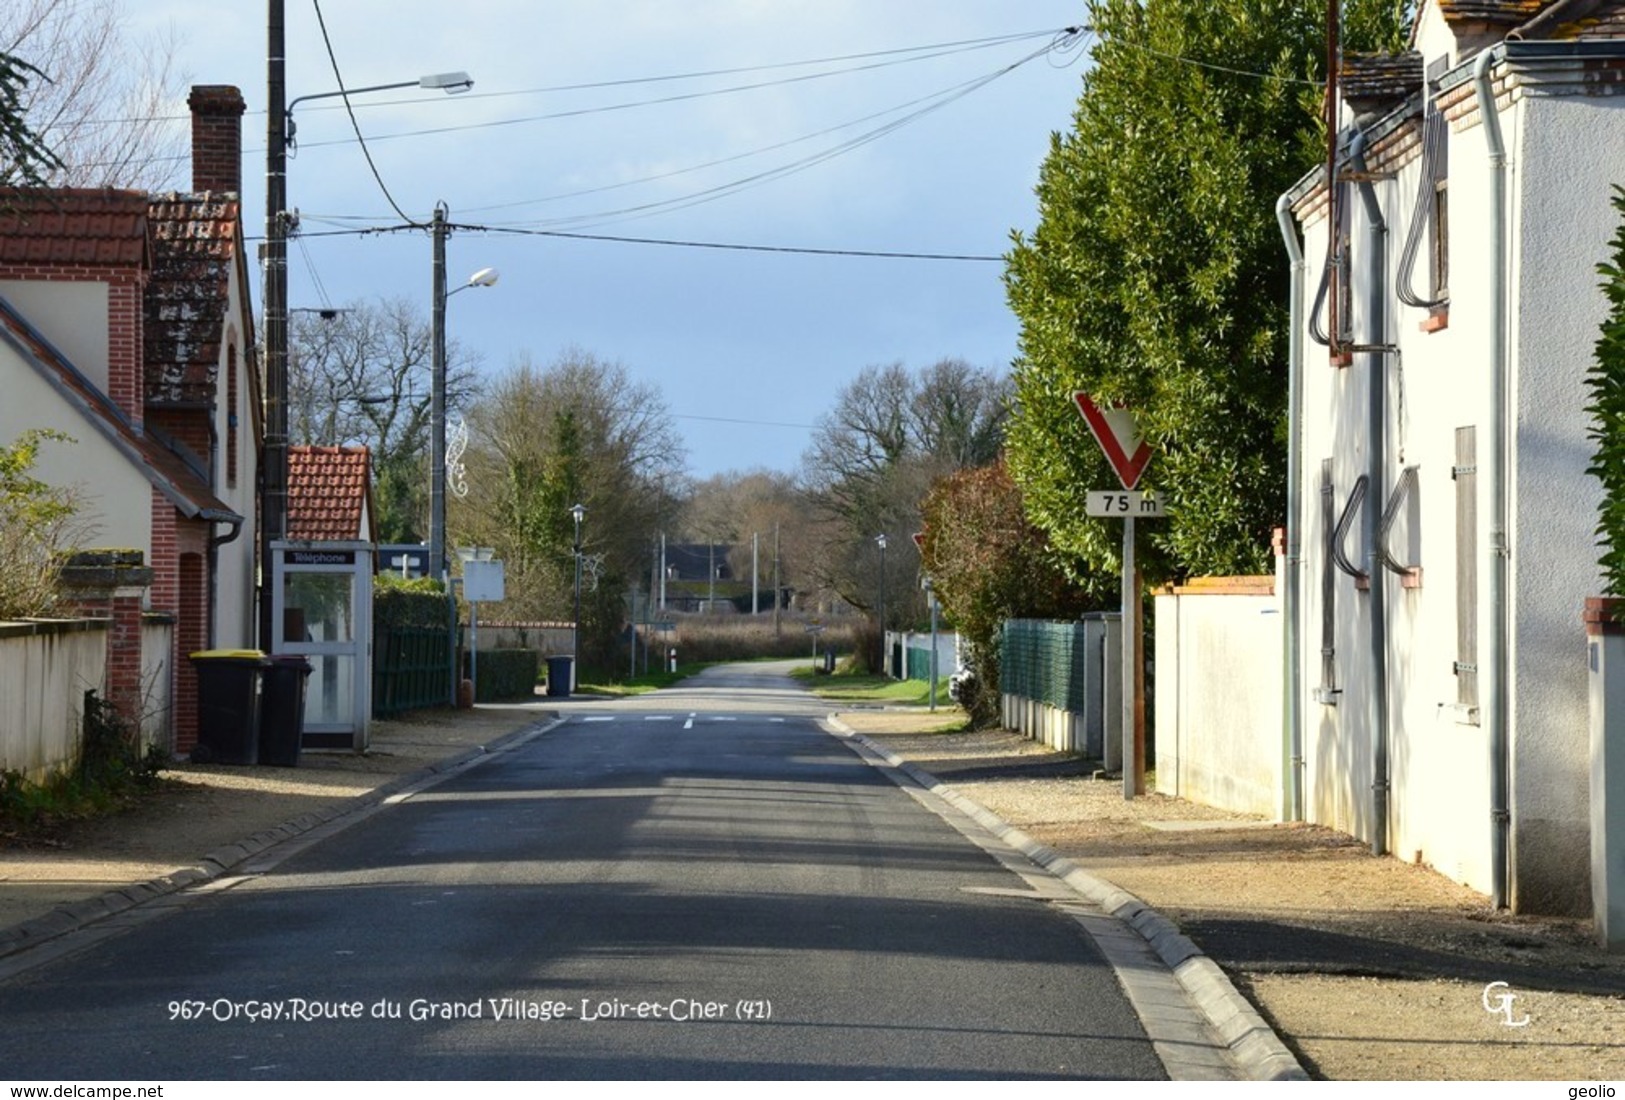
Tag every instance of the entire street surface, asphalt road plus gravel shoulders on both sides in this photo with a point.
(711, 852)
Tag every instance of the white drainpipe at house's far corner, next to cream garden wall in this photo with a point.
(1293, 599)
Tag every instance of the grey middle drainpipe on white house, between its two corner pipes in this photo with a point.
(1377, 423)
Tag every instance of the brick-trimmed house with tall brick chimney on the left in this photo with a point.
(126, 324)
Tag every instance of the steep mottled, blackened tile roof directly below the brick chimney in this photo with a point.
(194, 248)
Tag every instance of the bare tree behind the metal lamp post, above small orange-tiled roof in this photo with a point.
(363, 376)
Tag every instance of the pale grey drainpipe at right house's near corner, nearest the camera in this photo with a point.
(1496, 466)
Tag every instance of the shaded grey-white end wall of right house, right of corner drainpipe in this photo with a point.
(1562, 223)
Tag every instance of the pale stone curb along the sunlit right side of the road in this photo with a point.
(1255, 1047)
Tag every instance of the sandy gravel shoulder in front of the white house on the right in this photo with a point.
(1369, 969)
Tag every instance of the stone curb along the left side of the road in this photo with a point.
(76, 916)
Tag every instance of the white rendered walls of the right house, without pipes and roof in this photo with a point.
(1439, 755)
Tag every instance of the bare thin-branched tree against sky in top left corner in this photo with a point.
(105, 103)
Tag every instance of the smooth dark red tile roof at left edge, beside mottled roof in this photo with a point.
(89, 227)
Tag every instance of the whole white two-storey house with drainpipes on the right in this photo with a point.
(1455, 362)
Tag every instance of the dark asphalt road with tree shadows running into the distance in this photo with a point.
(700, 885)
